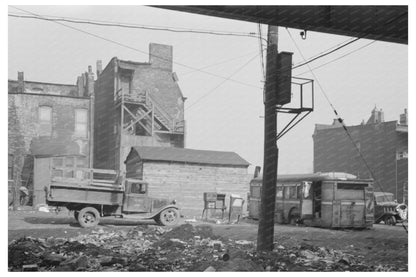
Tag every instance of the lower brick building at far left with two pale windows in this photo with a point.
(46, 120)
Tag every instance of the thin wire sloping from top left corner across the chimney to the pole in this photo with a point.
(143, 52)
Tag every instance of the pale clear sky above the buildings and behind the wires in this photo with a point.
(226, 113)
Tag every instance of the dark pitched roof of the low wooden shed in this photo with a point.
(185, 155)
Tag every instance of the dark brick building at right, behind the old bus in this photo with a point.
(384, 146)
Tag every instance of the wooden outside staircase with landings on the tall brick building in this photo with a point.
(142, 115)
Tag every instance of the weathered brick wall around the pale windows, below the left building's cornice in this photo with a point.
(24, 130)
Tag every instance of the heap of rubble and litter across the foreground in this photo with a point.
(183, 248)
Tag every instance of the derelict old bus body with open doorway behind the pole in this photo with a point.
(331, 200)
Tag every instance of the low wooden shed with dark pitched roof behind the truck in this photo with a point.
(185, 174)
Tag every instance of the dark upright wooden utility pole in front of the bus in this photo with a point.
(268, 193)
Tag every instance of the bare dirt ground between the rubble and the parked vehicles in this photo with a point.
(381, 245)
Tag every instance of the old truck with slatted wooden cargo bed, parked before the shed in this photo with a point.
(91, 194)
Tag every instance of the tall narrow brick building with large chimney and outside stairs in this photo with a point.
(137, 104)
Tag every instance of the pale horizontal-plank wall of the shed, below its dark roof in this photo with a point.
(186, 183)
